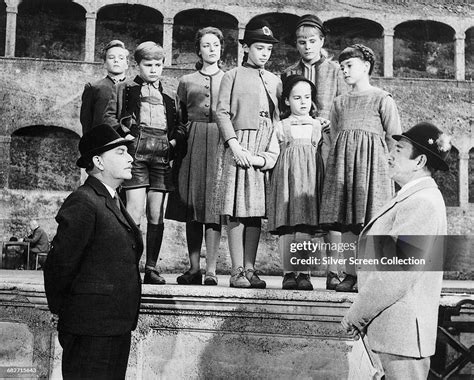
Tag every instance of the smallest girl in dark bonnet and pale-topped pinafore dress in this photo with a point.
(295, 192)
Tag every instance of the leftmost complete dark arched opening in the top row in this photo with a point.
(53, 29)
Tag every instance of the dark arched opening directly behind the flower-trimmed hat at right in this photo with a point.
(448, 182)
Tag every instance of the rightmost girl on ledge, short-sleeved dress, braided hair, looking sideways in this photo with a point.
(357, 181)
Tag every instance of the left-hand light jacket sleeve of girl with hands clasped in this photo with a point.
(223, 112)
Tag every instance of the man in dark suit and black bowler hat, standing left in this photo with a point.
(91, 274)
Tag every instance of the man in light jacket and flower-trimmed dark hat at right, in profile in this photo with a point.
(398, 310)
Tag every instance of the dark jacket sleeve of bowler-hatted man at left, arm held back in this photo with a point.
(76, 220)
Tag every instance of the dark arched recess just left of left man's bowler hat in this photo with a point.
(44, 158)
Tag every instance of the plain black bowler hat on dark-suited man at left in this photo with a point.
(98, 140)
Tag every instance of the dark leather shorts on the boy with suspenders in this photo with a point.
(151, 166)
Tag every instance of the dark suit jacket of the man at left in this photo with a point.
(91, 273)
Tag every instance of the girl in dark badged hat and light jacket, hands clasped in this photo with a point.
(246, 111)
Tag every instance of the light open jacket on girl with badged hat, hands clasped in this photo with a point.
(238, 106)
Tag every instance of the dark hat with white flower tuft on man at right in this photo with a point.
(431, 141)
